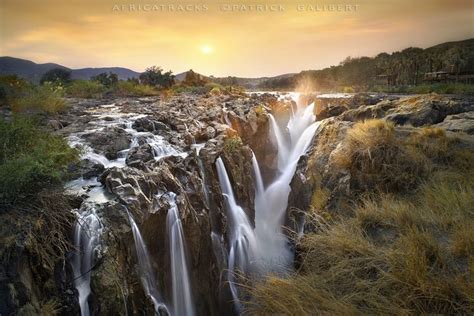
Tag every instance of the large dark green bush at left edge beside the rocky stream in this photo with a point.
(31, 158)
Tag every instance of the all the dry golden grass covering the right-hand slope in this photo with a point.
(399, 253)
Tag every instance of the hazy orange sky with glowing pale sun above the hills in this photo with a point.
(230, 39)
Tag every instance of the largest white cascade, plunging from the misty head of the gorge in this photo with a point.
(271, 203)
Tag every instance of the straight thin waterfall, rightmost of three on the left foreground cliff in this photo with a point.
(181, 285)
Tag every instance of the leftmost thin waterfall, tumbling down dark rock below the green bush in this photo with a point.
(87, 234)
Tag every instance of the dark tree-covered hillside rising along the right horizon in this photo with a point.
(406, 67)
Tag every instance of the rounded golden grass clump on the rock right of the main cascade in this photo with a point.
(378, 160)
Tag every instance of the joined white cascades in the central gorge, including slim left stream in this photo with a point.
(265, 249)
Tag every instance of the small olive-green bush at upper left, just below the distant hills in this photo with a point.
(45, 98)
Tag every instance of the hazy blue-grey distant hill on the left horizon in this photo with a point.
(32, 71)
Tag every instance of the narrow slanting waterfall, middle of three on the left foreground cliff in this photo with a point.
(146, 271)
